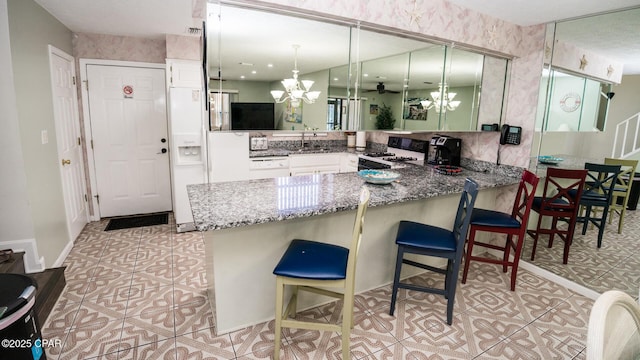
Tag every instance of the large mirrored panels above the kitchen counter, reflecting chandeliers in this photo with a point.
(330, 74)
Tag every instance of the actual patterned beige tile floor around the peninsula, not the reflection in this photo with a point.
(140, 294)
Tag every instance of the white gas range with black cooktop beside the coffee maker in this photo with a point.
(400, 152)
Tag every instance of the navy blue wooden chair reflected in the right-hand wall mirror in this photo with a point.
(597, 193)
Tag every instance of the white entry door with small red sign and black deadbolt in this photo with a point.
(127, 106)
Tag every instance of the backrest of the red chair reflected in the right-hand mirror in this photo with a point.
(559, 186)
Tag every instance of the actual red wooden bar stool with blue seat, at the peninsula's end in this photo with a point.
(514, 224)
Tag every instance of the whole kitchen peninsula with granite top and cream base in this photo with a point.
(247, 226)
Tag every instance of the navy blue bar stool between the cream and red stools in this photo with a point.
(422, 239)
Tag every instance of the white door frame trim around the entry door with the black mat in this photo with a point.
(86, 118)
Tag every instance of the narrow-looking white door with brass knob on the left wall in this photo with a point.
(65, 113)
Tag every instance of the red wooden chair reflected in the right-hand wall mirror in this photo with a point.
(559, 205)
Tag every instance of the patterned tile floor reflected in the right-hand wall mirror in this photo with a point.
(616, 265)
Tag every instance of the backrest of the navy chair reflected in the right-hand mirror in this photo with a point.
(599, 184)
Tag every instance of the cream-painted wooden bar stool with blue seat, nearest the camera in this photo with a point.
(308, 265)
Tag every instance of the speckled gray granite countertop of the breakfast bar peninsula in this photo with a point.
(241, 203)
